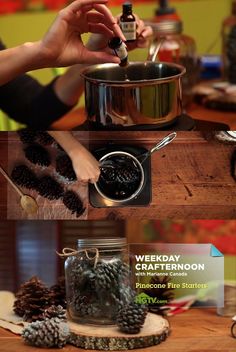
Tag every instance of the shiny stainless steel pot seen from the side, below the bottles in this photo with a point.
(142, 93)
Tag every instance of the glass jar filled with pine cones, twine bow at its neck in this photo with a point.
(97, 280)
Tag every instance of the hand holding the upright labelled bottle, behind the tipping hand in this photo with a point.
(99, 41)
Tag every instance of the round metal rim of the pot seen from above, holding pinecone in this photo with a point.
(140, 184)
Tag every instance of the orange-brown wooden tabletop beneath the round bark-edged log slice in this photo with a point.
(197, 330)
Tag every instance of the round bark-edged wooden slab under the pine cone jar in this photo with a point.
(109, 338)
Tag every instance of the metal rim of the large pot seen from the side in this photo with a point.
(86, 70)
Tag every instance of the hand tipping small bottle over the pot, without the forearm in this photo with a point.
(62, 45)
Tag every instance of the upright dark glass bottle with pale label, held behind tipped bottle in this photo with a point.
(128, 22)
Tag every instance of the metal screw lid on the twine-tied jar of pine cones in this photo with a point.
(111, 242)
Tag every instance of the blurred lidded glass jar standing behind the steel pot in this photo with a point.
(178, 48)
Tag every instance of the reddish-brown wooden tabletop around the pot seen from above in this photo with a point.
(190, 177)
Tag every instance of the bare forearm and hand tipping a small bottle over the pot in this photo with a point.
(62, 45)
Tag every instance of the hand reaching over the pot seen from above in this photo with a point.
(85, 165)
